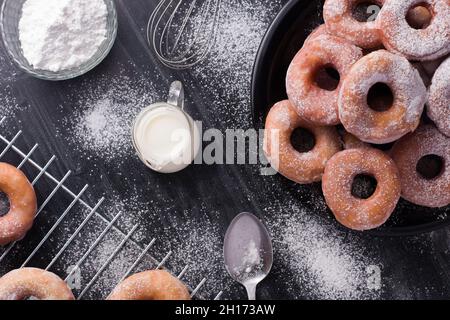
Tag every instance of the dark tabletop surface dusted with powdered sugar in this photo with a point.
(189, 212)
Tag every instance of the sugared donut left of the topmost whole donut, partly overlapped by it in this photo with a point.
(314, 102)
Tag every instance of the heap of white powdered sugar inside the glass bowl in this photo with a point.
(59, 35)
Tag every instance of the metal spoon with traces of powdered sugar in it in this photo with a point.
(248, 252)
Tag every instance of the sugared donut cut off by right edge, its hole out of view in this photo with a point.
(439, 98)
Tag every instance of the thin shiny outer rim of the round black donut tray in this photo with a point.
(260, 70)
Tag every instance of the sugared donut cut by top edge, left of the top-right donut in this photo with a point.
(340, 20)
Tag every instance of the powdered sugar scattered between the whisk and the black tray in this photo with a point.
(226, 74)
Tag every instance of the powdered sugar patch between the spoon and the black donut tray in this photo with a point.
(325, 263)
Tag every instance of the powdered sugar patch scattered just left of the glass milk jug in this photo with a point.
(104, 112)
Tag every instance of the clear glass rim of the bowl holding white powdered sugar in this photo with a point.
(63, 74)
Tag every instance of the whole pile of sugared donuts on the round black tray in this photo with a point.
(375, 94)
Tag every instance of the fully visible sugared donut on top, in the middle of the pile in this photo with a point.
(409, 96)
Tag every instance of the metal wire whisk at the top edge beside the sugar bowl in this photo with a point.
(182, 33)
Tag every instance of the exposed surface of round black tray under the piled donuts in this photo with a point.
(282, 41)
